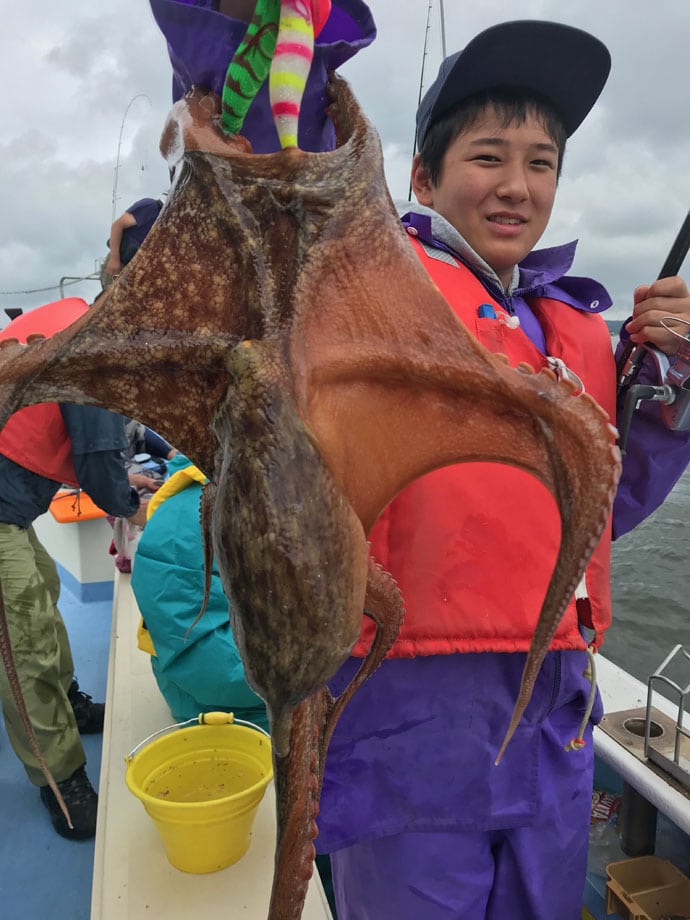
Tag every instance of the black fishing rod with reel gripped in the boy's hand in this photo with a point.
(674, 392)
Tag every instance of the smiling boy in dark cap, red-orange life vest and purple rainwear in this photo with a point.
(418, 820)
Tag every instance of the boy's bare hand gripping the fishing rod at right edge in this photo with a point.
(666, 297)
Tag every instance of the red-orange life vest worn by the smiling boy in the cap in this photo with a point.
(473, 546)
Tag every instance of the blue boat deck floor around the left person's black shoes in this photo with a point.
(43, 876)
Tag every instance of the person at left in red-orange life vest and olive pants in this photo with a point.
(43, 447)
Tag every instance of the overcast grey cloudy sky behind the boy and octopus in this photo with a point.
(78, 80)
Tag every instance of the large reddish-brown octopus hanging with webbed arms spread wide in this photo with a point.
(278, 304)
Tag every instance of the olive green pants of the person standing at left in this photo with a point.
(42, 655)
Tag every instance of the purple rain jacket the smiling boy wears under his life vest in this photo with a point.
(414, 748)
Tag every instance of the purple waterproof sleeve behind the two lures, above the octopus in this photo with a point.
(201, 43)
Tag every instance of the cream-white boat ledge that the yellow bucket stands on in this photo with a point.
(132, 878)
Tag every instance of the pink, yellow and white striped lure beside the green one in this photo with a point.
(300, 23)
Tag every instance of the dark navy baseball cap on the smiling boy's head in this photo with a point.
(566, 65)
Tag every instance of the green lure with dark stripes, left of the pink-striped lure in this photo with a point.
(250, 65)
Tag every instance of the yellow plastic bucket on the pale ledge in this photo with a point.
(202, 787)
